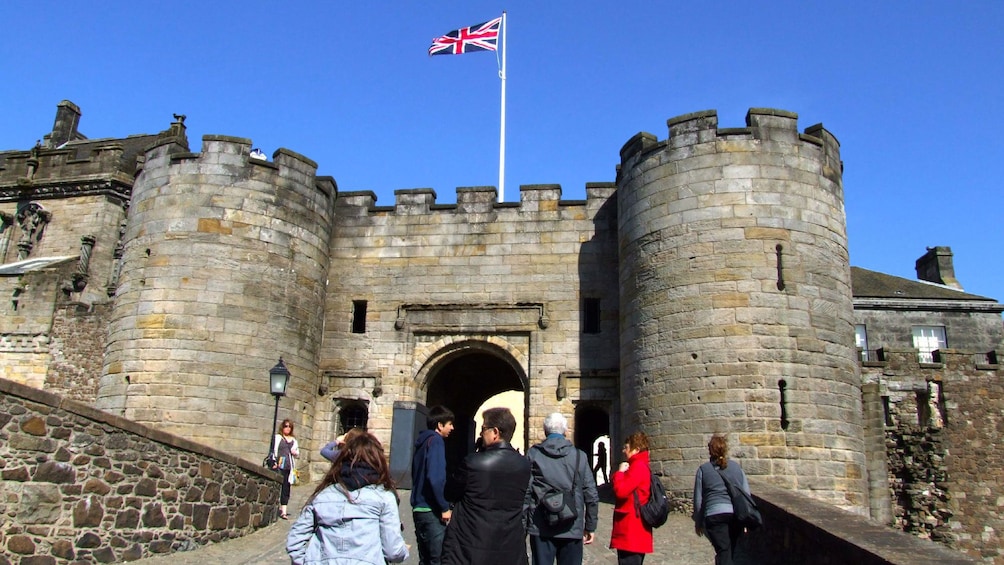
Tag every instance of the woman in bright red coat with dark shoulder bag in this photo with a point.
(630, 536)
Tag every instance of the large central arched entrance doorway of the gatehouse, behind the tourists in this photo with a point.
(462, 380)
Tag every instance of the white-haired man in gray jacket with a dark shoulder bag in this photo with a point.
(557, 464)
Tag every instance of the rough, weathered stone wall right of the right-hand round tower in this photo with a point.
(944, 446)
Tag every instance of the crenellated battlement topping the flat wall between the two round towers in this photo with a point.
(471, 200)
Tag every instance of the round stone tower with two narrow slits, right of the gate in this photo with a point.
(736, 304)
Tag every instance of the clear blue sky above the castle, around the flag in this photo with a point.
(912, 91)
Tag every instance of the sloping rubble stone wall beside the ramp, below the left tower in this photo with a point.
(82, 486)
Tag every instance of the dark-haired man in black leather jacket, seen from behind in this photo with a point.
(488, 525)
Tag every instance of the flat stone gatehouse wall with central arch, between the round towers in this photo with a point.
(512, 275)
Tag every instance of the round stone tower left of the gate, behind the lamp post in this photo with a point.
(224, 271)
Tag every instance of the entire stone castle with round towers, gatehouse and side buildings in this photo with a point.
(707, 290)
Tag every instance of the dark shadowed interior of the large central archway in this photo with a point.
(462, 384)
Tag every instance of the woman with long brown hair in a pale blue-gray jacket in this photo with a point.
(352, 519)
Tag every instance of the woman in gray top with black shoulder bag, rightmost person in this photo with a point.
(713, 513)
